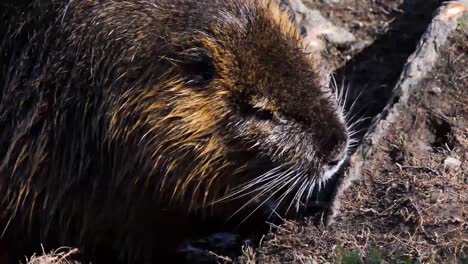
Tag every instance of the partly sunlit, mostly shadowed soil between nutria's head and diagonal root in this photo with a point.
(372, 72)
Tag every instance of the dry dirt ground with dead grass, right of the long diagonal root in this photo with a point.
(411, 203)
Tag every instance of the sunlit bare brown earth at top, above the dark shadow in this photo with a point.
(368, 21)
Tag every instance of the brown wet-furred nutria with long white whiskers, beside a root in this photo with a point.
(116, 114)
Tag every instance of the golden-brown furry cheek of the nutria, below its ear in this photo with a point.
(179, 136)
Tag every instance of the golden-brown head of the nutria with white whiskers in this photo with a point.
(235, 100)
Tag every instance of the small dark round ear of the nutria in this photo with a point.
(198, 65)
